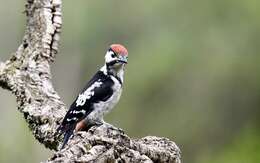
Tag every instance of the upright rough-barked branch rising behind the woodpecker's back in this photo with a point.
(27, 72)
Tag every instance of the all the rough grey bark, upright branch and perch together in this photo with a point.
(27, 75)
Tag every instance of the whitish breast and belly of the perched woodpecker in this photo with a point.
(102, 108)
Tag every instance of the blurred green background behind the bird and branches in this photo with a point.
(193, 73)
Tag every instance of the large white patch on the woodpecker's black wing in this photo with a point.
(81, 100)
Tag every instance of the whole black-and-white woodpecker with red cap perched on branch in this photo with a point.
(99, 96)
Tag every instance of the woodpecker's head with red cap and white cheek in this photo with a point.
(116, 56)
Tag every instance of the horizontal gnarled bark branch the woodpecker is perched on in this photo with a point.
(106, 144)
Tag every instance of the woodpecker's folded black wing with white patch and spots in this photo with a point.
(99, 88)
